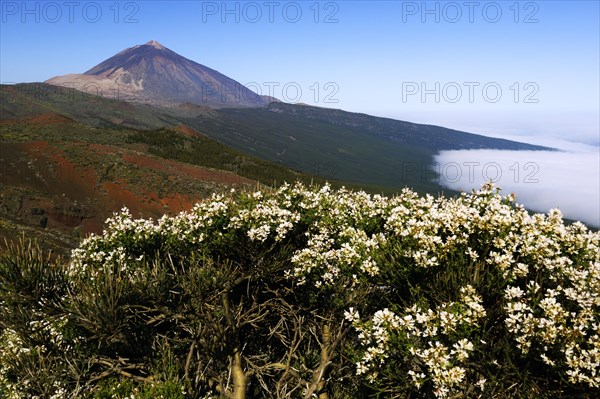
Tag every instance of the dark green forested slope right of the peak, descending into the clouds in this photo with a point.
(344, 146)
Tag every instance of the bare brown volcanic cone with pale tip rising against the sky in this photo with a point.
(151, 73)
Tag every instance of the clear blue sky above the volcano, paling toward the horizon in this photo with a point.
(505, 67)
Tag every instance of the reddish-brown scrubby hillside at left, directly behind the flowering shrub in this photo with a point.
(60, 179)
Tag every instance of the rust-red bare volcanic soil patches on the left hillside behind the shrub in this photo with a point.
(70, 194)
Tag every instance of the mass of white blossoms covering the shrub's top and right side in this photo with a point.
(547, 272)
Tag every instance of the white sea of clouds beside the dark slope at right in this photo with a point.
(568, 179)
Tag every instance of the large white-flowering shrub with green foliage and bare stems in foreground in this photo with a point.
(295, 292)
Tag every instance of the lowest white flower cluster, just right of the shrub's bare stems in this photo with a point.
(428, 335)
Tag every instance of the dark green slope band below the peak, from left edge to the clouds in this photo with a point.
(331, 144)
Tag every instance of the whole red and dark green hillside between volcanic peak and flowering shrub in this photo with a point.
(70, 159)
